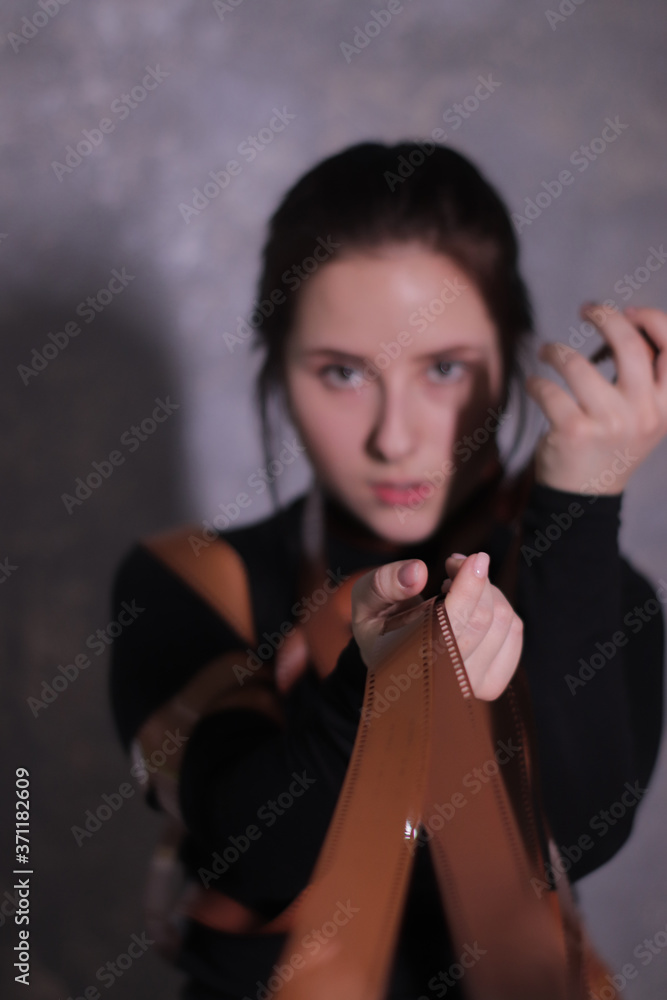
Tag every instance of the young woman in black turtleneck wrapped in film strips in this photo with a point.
(399, 314)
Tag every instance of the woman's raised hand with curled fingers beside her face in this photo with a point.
(598, 438)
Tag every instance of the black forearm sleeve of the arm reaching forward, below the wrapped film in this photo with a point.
(243, 777)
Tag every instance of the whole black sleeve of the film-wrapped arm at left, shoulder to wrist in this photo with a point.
(239, 768)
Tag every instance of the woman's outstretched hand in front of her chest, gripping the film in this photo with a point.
(488, 632)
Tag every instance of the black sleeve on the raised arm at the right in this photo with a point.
(593, 654)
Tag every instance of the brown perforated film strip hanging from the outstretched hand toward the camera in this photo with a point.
(405, 759)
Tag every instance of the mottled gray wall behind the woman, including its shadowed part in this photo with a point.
(63, 232)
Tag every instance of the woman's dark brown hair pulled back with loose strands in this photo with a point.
(372, 194)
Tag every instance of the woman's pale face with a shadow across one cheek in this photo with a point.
(392, 368)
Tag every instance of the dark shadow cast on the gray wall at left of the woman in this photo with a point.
(92, 461)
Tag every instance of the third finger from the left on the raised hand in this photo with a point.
(632, 355)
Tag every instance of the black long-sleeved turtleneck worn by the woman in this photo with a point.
(593, 649)
